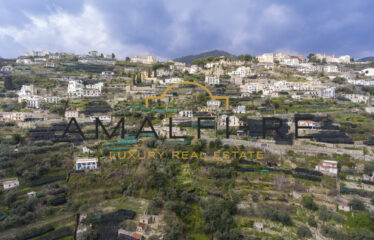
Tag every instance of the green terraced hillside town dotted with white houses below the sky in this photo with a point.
(274, 146)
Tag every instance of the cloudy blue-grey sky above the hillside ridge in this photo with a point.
(173, 28)
